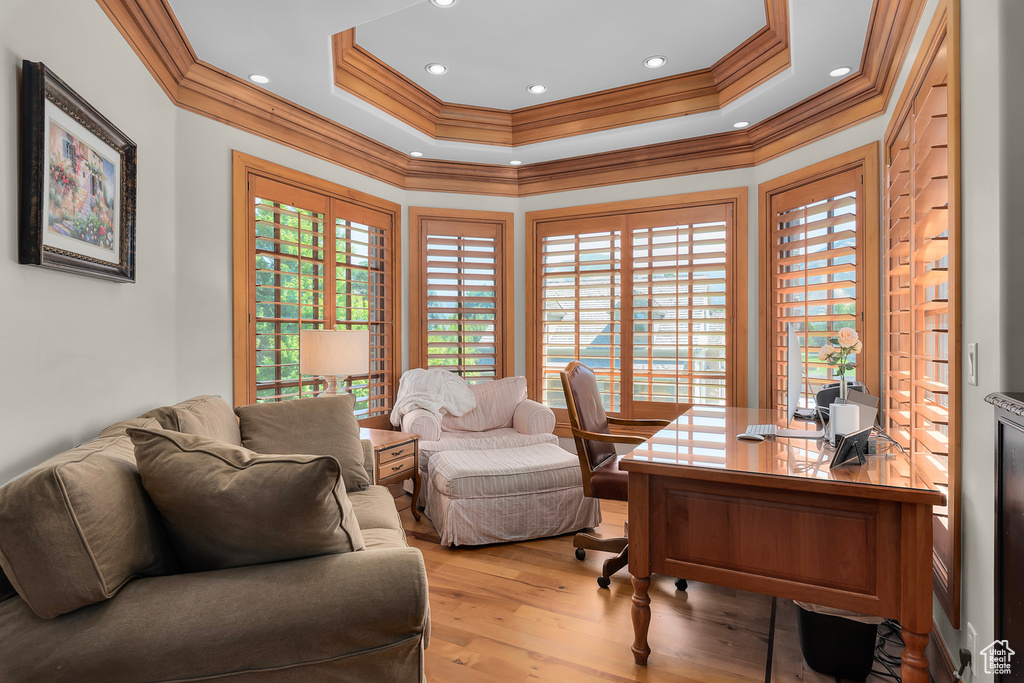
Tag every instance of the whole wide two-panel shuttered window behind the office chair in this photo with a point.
(677, 335)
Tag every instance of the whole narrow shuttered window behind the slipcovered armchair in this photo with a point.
(462, 281)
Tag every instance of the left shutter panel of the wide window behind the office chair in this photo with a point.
(580, 288)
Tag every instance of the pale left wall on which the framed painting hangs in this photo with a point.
(81, 353)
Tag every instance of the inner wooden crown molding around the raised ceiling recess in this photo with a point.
(758, 59)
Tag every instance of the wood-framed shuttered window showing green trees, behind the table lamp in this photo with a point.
(311, 255)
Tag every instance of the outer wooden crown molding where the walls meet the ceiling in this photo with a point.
(153, 32)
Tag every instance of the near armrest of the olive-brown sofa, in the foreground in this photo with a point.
(366, 613)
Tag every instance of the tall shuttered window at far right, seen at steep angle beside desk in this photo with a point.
(922, 372)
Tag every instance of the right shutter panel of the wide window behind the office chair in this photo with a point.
(679, 308)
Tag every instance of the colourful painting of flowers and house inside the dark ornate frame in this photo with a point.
(80, 205)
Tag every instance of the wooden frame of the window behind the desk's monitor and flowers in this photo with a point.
(867, 160)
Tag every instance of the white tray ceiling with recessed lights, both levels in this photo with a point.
(573, 47)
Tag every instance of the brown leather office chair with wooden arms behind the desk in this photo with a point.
(599, 462)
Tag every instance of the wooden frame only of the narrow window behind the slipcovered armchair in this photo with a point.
(505, 321)
